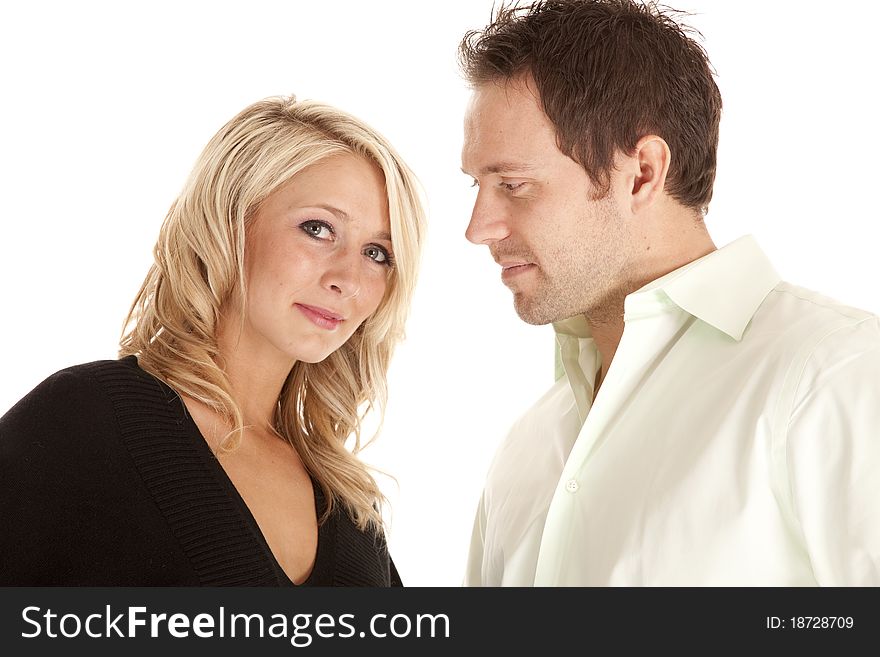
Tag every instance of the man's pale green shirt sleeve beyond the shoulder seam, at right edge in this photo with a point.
(833, 457)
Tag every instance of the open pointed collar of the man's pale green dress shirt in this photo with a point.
(723, 289)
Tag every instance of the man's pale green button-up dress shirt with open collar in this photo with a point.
(734, 441)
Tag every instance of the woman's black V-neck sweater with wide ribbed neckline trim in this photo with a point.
(105, 480)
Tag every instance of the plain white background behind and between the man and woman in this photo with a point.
(106, 105)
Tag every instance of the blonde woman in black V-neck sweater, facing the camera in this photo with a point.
(213, 452)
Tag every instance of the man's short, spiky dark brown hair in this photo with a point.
(608, 73)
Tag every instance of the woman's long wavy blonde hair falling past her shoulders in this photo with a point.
(199, 263)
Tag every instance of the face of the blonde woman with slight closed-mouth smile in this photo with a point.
(318, 258)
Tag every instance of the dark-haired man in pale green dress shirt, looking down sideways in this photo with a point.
(713, 425)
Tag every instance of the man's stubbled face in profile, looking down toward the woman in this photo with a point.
(562, 250)
